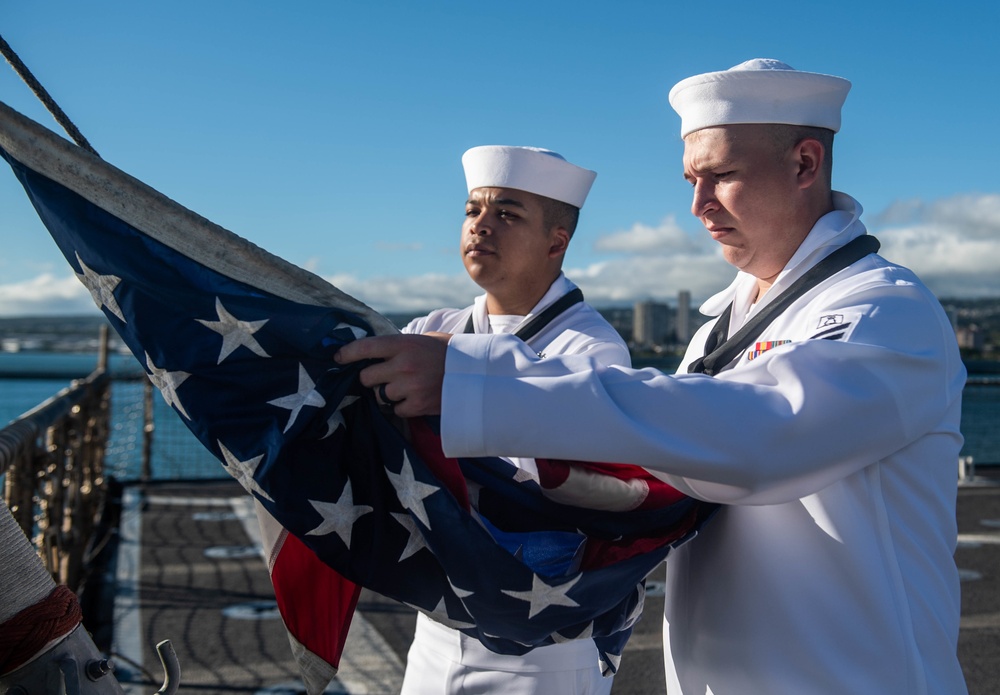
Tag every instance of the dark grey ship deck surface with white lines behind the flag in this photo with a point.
(189, 570)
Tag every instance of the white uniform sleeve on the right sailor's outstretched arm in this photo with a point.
(777, 429)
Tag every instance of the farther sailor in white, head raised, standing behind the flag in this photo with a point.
(521, 212)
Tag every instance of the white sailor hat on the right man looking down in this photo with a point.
(761, 90)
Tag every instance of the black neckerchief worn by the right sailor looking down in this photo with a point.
(719, 352)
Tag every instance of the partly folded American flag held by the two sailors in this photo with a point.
(240, 344)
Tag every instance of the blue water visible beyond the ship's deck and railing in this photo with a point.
(177, 454)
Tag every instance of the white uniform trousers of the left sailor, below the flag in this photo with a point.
(442, 661)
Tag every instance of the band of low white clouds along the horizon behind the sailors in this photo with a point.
(953, 244)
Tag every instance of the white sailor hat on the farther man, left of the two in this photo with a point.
(530, 169)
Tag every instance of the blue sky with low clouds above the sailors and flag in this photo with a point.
(331, 133)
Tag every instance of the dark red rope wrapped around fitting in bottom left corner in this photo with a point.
(27, 633)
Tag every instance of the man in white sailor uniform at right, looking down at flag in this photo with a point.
(832, 435)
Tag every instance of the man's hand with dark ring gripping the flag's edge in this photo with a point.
(411, 372)
